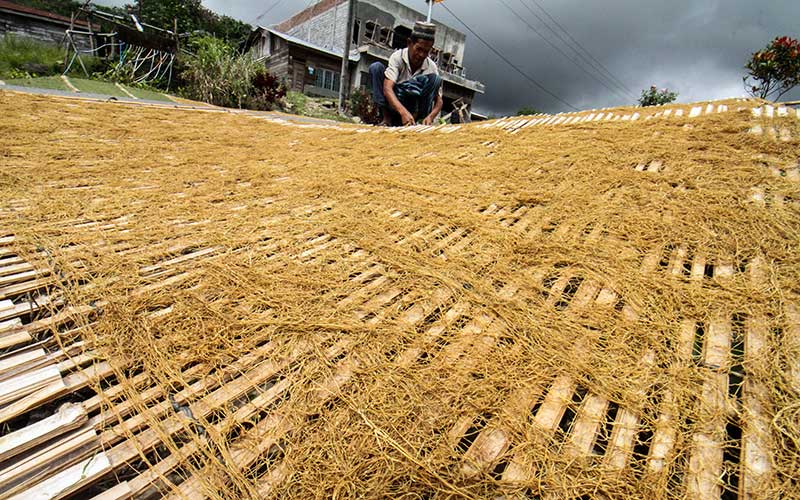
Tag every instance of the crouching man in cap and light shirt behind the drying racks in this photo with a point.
(409, 90)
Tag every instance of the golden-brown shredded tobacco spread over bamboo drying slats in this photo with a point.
(603, 309)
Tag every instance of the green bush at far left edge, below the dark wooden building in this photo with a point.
(22, 57)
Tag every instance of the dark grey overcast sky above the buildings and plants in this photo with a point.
(696, 47)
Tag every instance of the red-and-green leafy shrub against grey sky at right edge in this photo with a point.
(775, 70)
